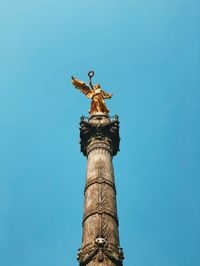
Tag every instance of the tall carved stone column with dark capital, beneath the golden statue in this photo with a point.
(100, 241)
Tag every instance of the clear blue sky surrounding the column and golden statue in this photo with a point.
(147, 53)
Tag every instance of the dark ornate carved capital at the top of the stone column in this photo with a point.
(94, 135)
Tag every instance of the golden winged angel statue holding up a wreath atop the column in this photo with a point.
(96, 93)
